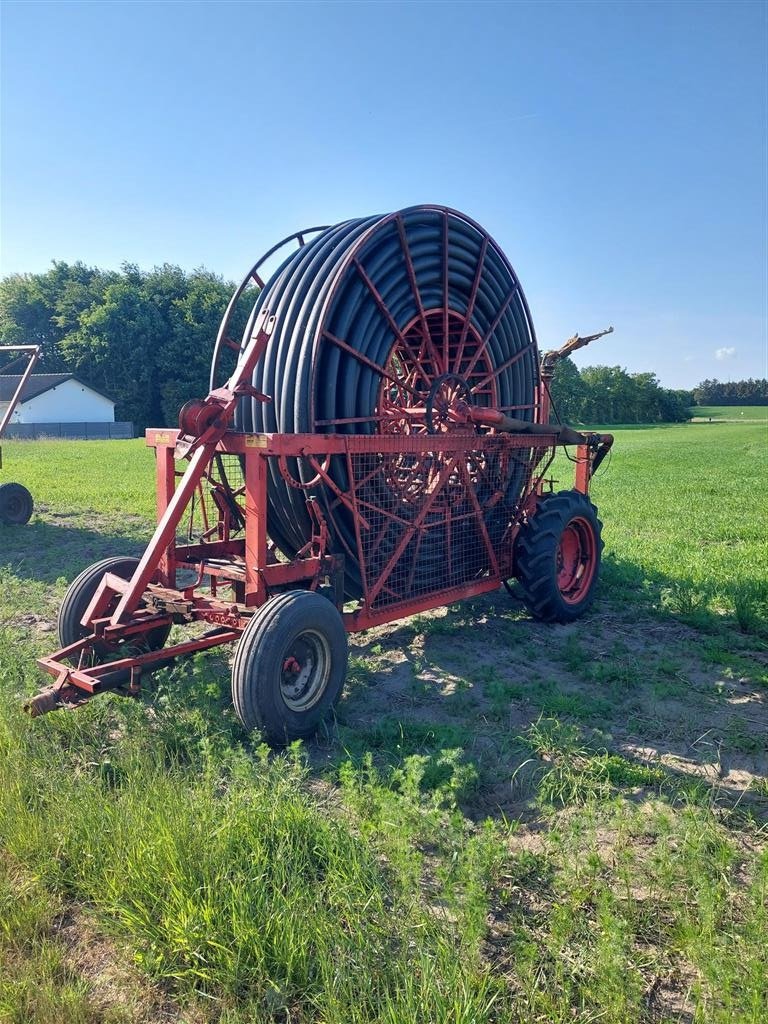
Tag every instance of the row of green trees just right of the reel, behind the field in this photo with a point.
(610, 395)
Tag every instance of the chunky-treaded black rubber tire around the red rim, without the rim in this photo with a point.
(536, 556)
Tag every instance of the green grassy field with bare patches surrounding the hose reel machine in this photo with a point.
(506, 823)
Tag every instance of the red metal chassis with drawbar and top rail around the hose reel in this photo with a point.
(249, 568)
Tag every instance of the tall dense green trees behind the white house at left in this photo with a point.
(145, 339)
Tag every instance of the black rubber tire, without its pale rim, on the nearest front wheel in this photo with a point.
(261, 656)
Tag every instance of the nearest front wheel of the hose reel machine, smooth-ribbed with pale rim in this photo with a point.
(290, 667)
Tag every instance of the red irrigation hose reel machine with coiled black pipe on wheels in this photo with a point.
(358, 466)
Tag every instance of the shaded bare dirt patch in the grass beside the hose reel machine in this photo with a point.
(479, 675)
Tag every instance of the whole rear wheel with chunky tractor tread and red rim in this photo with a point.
(558, 558)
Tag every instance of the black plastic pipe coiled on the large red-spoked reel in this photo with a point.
(367, 284)
